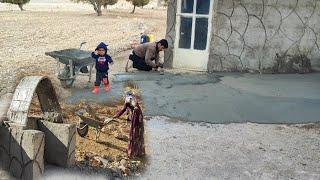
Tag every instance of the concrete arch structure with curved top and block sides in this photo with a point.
(27, 142)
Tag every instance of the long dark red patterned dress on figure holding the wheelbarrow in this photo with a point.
(136, 146)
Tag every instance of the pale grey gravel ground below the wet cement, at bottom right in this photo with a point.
(181, 150)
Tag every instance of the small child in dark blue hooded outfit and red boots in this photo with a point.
(102, 66)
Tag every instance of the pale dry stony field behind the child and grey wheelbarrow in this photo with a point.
(26, 36)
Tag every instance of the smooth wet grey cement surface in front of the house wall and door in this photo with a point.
(223, 98)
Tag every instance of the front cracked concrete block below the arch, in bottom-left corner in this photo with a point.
(21, 152)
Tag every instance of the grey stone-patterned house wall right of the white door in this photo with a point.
(247, 34)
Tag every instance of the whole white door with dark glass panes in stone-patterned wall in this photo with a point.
(193, 34)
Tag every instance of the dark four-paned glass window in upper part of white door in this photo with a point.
(194, 17)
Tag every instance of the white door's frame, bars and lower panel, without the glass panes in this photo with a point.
(189, 58)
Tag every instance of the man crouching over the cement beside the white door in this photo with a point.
(142, 56)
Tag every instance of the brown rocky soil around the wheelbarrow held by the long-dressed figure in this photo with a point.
(108, 150)
